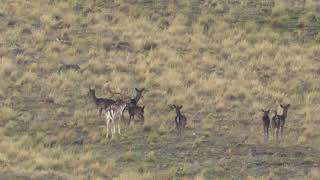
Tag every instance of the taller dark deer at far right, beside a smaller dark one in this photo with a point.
(278, 121)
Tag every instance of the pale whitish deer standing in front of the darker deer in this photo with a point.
(113, 116)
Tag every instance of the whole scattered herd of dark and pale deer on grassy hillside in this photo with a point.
(113, 112)
